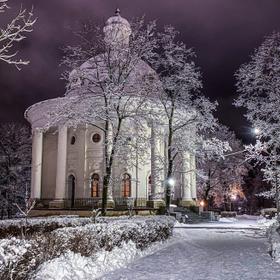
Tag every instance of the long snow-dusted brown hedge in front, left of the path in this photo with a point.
(86, 240)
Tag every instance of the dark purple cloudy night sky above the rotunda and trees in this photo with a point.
(222, 32)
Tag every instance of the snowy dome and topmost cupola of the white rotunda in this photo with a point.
(117, 31)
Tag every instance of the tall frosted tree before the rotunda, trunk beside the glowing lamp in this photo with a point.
(186, 112)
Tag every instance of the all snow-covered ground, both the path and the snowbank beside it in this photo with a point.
(228, 249)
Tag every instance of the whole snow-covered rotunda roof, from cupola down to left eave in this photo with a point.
(95, 69)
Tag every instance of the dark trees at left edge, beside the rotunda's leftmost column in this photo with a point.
(15, 166)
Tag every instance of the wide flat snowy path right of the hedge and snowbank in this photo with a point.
(212, 254)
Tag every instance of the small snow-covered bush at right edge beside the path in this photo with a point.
(274, 241)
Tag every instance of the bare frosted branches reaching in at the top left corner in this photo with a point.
(13, 33)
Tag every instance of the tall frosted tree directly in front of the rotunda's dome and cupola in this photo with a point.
(110, 86)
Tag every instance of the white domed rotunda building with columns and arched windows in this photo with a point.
(68, 163)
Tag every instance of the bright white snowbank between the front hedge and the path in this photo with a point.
(76, 266)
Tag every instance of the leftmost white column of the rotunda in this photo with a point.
(37, 156)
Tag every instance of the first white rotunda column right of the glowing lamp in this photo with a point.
(186, 178)
